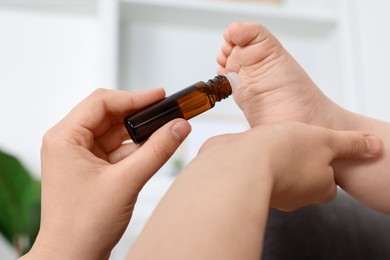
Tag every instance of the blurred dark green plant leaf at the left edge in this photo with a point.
(19, 203)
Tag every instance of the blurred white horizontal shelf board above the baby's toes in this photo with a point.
(248, 9)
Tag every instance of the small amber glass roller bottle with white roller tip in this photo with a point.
(186, 104)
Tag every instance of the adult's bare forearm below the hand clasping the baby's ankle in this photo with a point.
(210, 212)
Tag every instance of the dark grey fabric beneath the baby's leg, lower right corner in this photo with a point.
(343, 229)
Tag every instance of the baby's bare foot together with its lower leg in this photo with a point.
(275, 88)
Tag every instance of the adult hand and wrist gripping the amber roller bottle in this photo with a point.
(91, 179)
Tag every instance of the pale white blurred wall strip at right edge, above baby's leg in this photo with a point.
(373, 41)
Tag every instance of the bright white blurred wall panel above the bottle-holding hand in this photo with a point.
(47, 65)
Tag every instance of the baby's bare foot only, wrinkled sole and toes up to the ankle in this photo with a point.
(274, 86)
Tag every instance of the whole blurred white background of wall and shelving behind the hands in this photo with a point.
(53, 53)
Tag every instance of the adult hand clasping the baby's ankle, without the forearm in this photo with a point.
(294, 157)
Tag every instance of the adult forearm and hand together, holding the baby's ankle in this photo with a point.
(218, 206)
